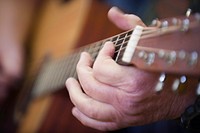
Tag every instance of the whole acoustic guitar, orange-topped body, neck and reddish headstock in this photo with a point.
(63, 26)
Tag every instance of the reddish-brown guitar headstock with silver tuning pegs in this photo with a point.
(170, 46)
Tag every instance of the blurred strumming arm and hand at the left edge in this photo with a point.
(15, 20)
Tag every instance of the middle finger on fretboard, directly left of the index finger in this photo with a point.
(90, 85)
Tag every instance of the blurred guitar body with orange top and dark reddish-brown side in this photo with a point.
(60, 28)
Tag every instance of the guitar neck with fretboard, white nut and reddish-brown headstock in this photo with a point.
(154, 49)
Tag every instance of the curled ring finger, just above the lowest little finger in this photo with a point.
(90, 107)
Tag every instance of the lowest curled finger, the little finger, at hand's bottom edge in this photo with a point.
(100, 125)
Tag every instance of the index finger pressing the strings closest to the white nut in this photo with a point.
(106, 70)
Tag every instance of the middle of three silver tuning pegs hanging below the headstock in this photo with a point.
(179, 84)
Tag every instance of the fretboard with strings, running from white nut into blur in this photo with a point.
(54, 73)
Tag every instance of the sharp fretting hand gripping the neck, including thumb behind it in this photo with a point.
(109, 97)
